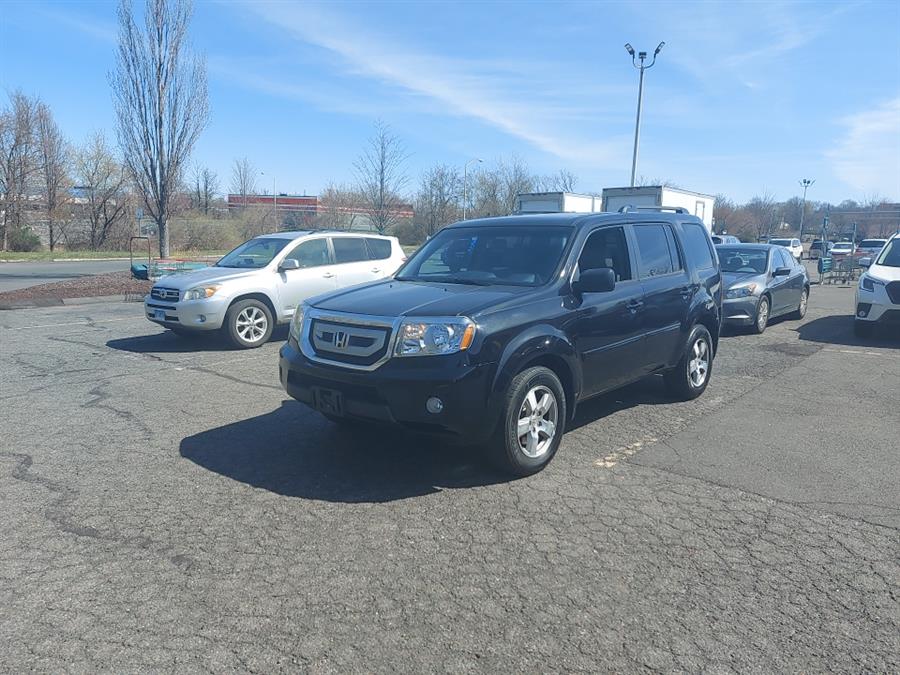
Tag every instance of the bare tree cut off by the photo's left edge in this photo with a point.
(18, 159)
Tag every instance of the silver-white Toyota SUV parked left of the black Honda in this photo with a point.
(261, 282)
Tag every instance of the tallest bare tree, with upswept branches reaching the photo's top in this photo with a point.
(161, 101)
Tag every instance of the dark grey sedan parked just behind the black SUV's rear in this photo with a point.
(761, 281)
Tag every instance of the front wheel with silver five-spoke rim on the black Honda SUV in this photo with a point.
(533, 422)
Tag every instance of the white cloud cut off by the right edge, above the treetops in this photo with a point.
(867, 157)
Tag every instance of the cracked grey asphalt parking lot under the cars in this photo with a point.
(166, 507)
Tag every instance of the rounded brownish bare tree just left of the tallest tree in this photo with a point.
(102, 181)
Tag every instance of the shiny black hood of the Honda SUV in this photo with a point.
(415, 298)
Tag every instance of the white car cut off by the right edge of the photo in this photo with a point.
(878, 292)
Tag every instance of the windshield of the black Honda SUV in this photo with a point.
(516, 256)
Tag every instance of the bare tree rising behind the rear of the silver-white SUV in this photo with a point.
(381, 177)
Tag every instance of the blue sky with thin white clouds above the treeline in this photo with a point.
(745, 98)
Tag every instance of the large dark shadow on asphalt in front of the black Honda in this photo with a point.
(294, 452)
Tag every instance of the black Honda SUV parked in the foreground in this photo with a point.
(496, 329)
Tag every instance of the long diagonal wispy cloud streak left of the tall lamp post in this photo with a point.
(492, 92)
